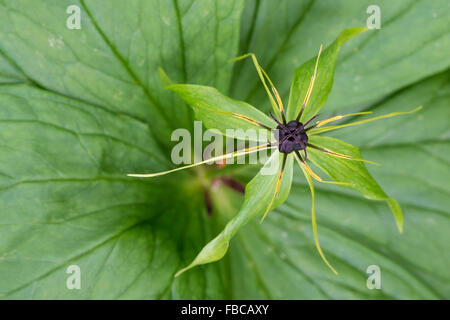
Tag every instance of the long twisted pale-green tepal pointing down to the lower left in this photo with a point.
(255, 203)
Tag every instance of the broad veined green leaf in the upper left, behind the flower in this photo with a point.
(111, 60)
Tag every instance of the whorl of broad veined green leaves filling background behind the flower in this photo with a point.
(81, 108)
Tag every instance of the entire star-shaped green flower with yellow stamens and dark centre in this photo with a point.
(295, 133)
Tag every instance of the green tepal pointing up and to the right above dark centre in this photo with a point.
(323, 81)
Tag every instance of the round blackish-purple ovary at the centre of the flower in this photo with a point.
(291, 137)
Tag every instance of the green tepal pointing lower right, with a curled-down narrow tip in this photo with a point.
(353, 172)
